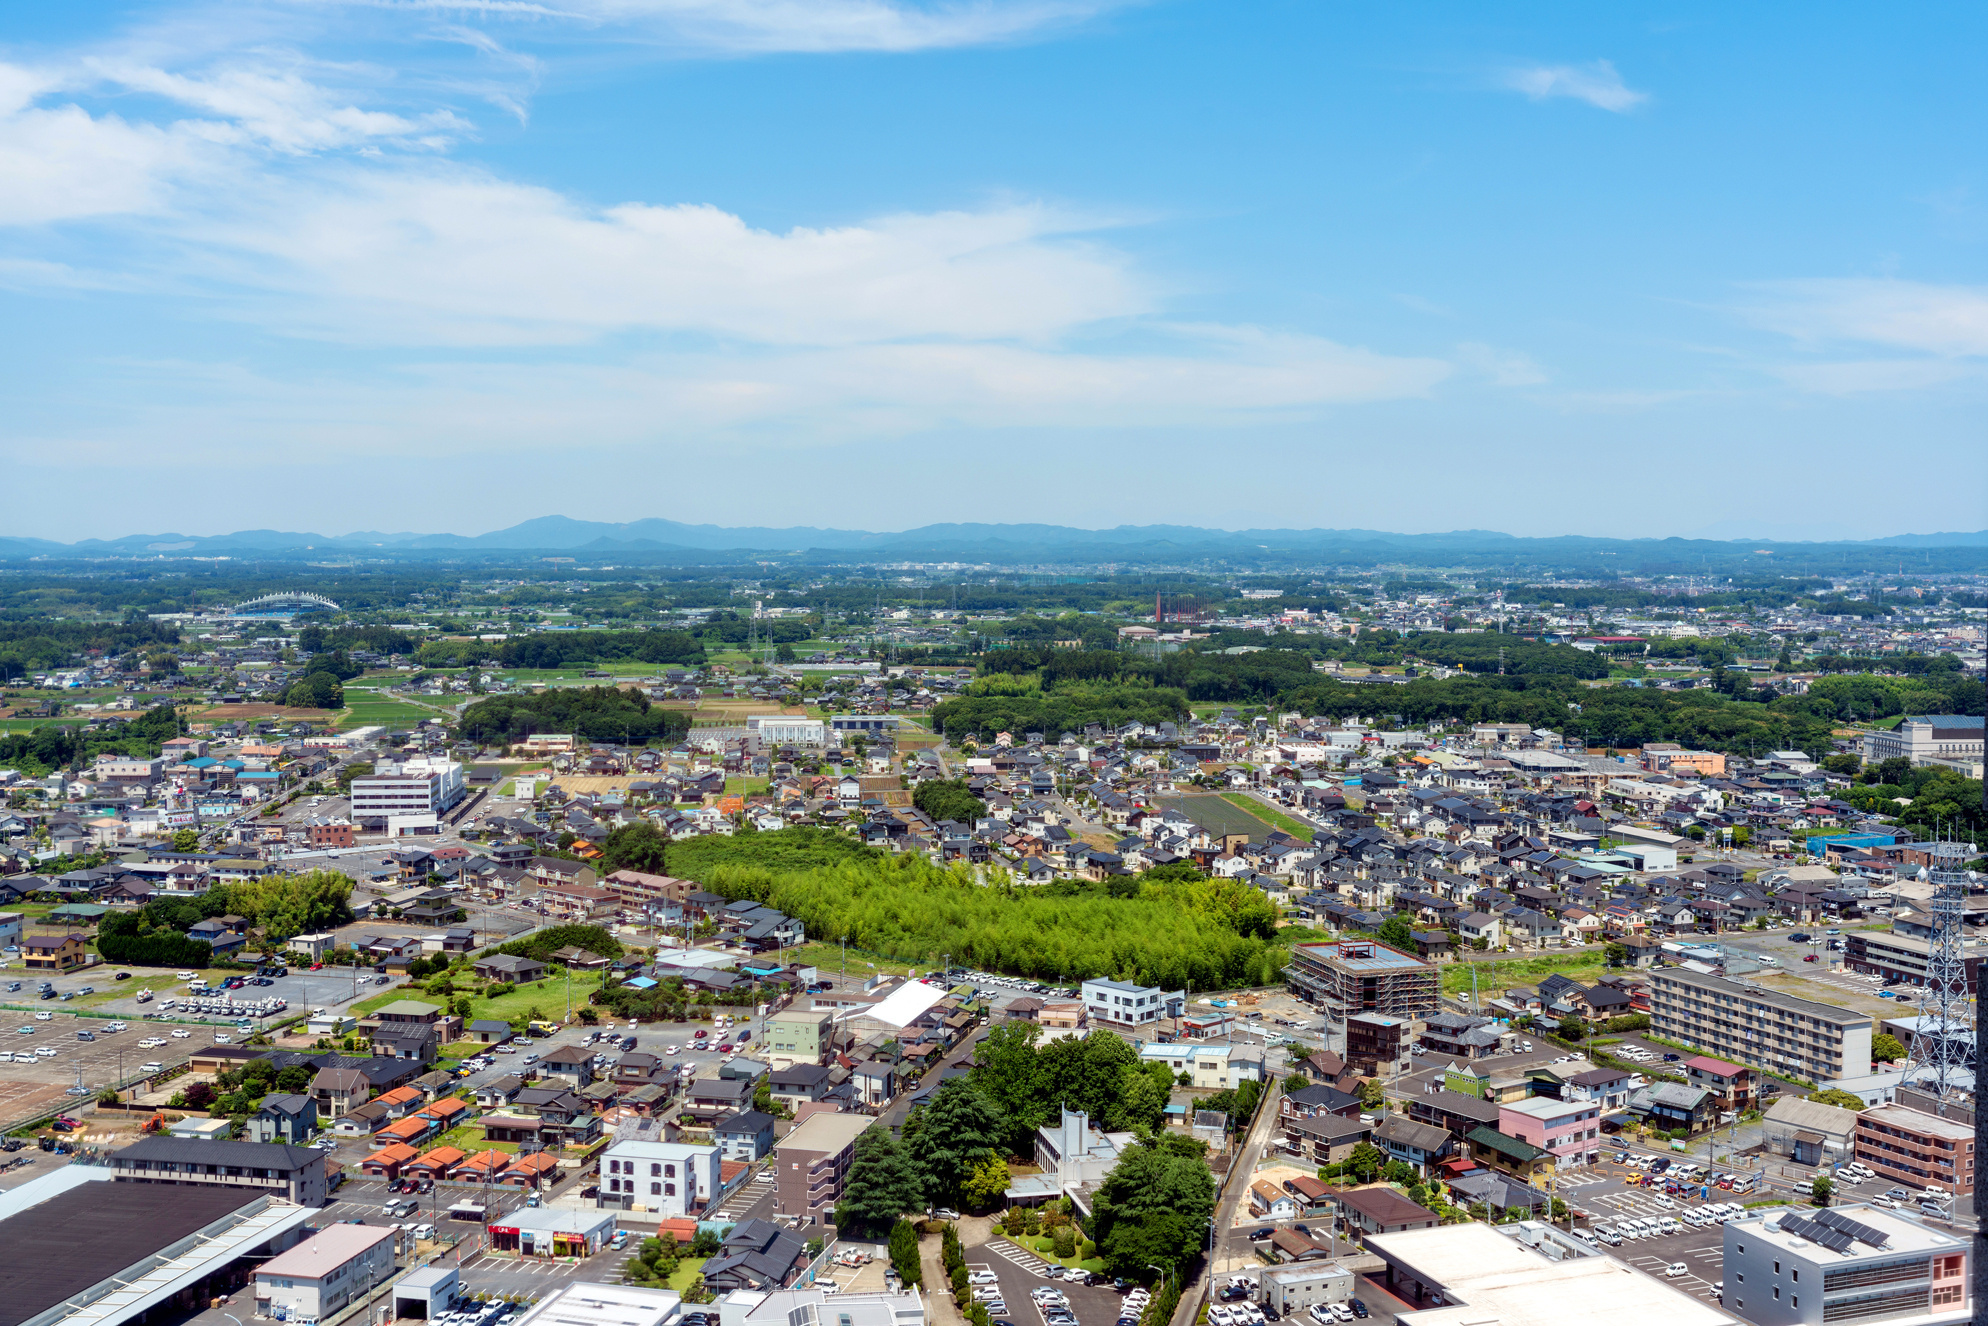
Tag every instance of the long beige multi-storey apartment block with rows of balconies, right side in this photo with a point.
(1760, 1029)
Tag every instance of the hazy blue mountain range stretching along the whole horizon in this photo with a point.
(979, 544)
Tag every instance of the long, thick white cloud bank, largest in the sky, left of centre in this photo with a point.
(456, 257)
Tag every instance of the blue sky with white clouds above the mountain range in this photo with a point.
(870, 263)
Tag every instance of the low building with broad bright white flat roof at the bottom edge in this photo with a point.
(1458, 1275)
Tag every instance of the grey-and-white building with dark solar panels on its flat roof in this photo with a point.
(1846, 1263)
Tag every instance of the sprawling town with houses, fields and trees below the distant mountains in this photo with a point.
(935, 945)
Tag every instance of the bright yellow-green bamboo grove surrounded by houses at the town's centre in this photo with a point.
(1176, 933)
